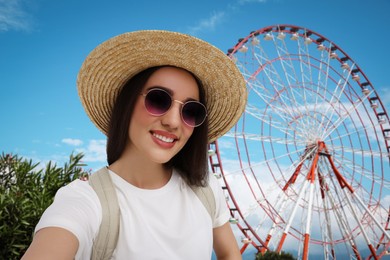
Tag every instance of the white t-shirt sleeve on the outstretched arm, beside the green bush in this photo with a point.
(77, 209)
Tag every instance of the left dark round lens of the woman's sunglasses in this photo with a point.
(157, 102)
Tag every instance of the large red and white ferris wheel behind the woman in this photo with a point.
(306, 168)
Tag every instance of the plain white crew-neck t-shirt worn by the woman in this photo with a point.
(166, 223)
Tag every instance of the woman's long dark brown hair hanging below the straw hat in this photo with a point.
(190, 161)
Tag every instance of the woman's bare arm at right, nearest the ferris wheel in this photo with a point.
(225, 244)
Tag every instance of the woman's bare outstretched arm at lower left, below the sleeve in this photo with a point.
(52, 243)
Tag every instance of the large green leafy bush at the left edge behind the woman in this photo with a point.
(25, 192)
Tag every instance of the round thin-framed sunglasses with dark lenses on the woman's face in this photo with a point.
(158, 102)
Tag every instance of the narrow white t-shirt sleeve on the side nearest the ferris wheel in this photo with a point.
(222, 212)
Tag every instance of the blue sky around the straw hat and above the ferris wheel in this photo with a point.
(44, 42)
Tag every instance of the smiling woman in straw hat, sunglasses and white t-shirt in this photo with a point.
(160, 97)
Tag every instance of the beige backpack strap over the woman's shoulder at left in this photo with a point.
(107, 238)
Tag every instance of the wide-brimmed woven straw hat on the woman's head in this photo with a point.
(111, 64)
